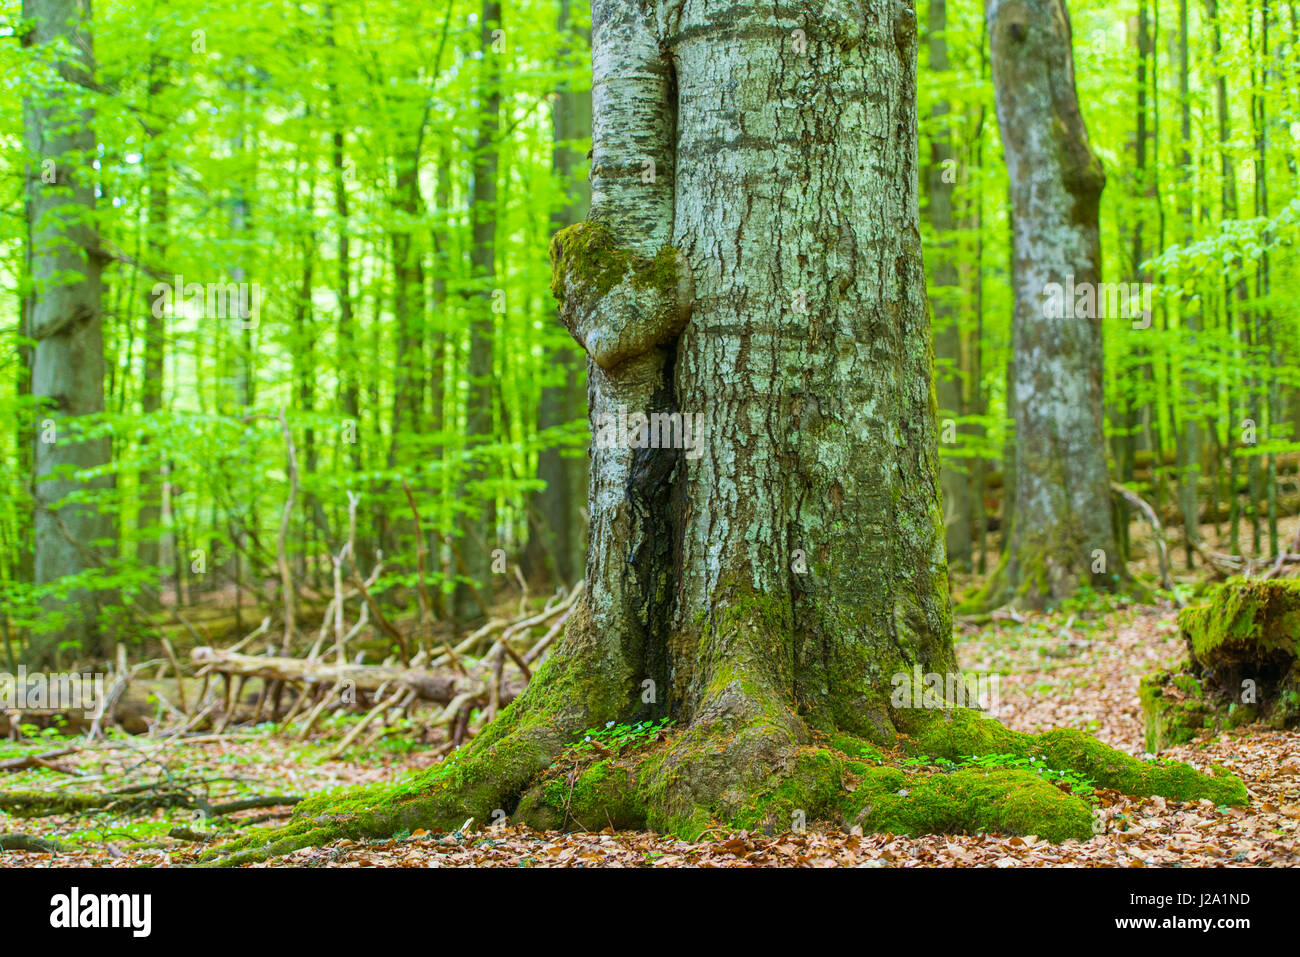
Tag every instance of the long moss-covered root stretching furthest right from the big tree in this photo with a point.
(961, 734)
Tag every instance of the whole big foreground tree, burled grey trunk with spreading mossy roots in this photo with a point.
(752, 256)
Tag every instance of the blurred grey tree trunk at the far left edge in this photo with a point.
(68, 365)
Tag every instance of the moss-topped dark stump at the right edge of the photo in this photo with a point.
(1243, 665)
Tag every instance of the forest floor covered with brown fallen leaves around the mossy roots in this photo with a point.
(1073, 669)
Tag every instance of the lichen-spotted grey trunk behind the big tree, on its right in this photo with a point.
(1061, 532)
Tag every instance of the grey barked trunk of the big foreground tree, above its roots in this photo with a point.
(798, 552)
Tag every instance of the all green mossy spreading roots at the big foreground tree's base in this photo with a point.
(742, 767)
